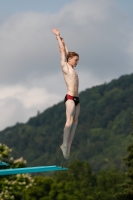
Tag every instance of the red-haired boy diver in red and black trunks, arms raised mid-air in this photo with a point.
(69, 60)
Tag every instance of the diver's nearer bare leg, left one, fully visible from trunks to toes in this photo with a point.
(70, 111)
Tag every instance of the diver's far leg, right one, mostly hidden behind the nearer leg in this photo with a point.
(74, 126)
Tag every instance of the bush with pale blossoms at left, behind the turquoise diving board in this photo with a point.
(12, 187)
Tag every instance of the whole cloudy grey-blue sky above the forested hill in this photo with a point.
(101, 31)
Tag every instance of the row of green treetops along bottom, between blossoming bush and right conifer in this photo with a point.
(75, 184)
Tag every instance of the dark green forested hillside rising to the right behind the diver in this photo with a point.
(102, 135)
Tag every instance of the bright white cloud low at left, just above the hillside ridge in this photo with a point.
(18, 104)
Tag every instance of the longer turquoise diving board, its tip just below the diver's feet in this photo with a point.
(31, 170)
